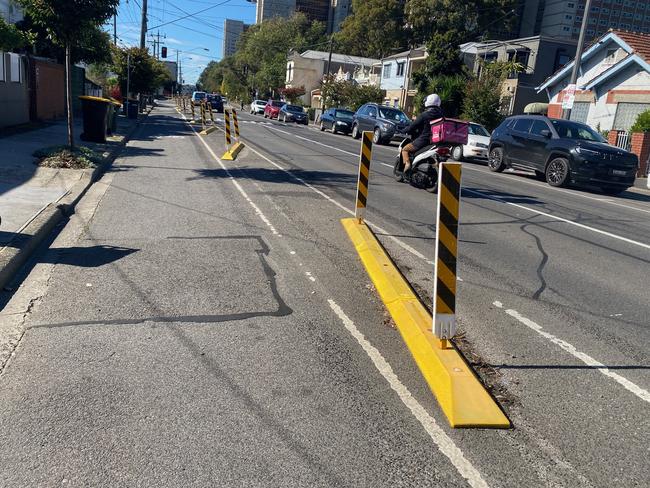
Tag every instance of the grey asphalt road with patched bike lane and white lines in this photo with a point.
(196, 324)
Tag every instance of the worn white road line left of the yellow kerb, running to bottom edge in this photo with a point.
(438, 436)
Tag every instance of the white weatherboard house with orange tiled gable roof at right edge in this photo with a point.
(613, 84)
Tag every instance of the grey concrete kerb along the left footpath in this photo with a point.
(20, 248)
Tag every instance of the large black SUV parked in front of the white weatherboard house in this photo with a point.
(561, 152)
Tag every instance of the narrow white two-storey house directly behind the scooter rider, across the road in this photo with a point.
(396, 77)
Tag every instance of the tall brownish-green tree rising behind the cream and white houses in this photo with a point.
(375, 29)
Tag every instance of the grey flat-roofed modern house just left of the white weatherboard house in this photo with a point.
(540, 56)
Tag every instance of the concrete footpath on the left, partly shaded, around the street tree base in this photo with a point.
(33, 198)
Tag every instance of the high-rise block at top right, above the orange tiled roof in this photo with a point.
(562, 19)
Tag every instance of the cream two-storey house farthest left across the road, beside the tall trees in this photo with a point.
(308, 69)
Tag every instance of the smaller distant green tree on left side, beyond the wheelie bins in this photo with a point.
(146, 73)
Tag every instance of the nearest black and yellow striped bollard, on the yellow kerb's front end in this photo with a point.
(444, 291)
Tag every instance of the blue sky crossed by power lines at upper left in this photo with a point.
(202, 30)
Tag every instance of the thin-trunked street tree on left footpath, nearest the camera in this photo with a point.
(65, 21)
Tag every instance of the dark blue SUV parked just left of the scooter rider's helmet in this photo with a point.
(386, 123)
